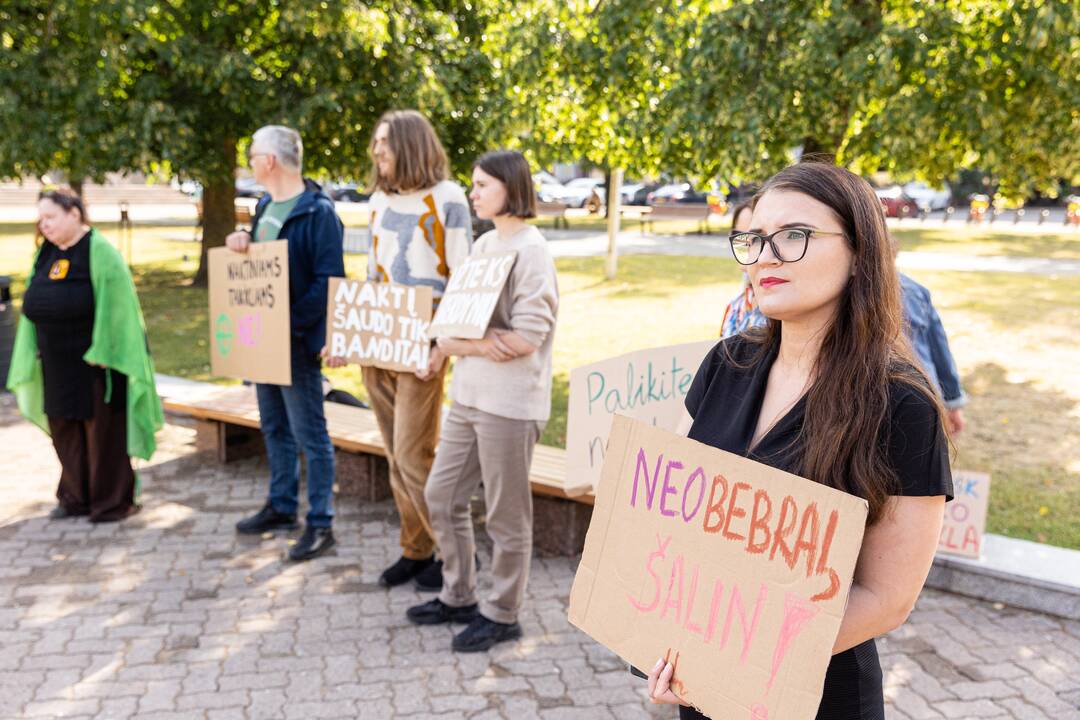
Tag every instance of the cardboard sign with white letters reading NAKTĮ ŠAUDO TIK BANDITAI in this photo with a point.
(381, 324)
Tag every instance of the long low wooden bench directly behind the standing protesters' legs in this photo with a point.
(227, 427)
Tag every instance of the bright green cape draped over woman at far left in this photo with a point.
(119, 344)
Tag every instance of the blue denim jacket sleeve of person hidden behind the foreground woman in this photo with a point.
(928, 338)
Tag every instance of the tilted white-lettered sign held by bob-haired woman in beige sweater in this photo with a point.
(471, 296)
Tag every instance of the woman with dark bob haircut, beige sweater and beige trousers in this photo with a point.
(502, 401)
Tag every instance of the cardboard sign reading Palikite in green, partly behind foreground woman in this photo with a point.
(650, 386)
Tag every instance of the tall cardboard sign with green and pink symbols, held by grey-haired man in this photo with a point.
(249, 314)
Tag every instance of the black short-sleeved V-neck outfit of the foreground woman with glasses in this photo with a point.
(725, 401)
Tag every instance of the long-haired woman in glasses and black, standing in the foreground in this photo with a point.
(830, 390)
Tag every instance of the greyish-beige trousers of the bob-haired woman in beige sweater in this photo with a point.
(478, 446)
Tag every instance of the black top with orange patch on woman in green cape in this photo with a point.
(60, 302)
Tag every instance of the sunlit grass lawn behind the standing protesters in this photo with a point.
(1014, 335)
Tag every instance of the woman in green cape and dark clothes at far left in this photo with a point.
(82, 368)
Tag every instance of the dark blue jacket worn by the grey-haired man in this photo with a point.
(316, 235)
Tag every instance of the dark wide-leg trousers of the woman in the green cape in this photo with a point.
(97, 476)
